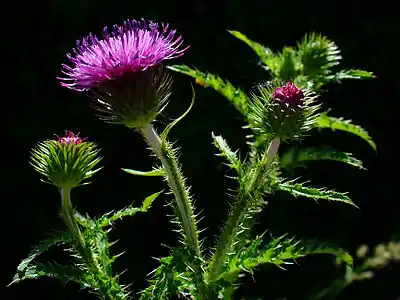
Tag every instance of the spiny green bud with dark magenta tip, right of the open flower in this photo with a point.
(283, 111)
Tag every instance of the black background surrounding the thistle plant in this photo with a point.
(38, 34)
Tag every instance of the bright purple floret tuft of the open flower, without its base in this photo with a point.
(130, 48)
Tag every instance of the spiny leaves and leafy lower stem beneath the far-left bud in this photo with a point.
(91, 269)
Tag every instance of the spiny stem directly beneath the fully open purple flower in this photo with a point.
(175, 180)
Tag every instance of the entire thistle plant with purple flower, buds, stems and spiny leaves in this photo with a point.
(125, 77)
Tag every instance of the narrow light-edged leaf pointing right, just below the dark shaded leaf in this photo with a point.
(298, 189)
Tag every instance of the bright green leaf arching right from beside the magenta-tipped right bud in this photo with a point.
(325, 121)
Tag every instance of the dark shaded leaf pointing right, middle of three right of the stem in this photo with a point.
(296, 157)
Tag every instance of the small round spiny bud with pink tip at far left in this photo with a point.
(67, 161)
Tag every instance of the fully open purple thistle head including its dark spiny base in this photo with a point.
(124, 70)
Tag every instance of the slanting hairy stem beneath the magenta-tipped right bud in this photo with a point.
(238, 213)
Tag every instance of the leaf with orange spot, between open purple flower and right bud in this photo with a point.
(236, 96)
